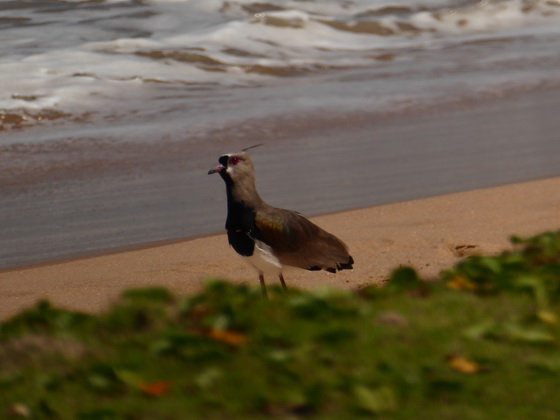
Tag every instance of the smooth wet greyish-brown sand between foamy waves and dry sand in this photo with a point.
(74, 196)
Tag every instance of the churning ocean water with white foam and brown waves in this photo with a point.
(201, 63)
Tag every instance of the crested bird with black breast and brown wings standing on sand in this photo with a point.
(270, 238)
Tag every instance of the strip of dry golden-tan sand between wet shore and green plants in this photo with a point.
(430, 235)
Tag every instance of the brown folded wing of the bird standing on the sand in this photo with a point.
(300, 243)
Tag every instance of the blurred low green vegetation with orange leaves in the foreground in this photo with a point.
(482, 342)
